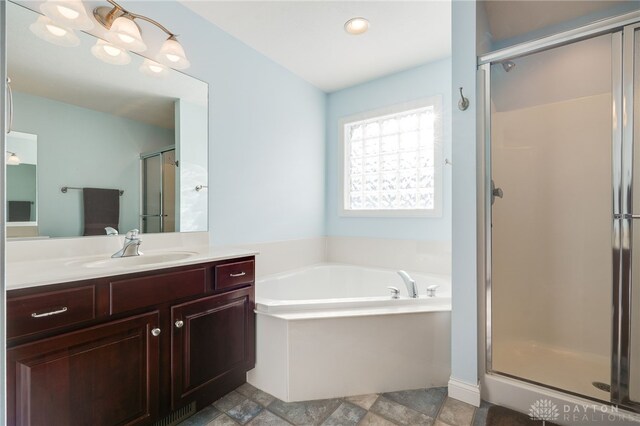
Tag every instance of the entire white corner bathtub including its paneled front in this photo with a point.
(333, 330)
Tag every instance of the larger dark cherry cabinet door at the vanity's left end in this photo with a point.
(103, 375)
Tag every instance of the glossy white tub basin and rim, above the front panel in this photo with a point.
(337, 290)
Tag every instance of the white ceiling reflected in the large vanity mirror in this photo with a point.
(74, 76)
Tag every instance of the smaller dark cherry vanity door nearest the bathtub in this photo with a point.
(212, 345)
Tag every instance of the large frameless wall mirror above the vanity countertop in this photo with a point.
(83, 129)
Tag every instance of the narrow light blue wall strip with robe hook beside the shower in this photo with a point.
(464, 320)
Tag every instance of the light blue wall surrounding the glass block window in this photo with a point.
(420, 82)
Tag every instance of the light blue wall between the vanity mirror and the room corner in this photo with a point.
(266, 135)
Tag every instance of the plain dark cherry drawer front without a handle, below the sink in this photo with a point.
(134, 293)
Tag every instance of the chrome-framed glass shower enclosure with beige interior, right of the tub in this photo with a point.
(562, 202)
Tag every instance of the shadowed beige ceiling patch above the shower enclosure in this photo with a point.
(516, 17)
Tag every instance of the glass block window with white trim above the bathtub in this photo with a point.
(390, 161)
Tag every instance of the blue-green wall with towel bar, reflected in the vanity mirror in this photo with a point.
(110, 158)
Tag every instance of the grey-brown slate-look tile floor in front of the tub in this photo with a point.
(250, 406)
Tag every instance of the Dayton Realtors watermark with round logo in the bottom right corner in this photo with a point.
(547, 410)
